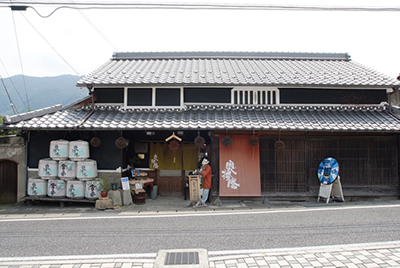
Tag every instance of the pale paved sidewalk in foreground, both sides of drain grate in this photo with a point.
(358, 255)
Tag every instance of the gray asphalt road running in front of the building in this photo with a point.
(148, 234)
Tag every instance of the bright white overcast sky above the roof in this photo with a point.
(371, 38)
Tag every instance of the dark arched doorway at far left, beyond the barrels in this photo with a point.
(8, 181)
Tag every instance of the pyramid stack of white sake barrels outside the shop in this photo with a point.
(67, 173)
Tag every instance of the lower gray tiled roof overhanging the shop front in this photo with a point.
(214, 117)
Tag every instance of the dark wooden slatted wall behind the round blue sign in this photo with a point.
(367, 164)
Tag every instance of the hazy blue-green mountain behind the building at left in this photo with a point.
(42, 92)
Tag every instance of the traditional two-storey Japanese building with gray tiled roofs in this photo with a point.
(264, 120)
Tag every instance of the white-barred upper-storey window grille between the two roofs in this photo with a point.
(255, 96)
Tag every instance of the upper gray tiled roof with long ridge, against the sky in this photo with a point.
(235, 68)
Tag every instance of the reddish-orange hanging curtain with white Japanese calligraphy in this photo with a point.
(239, 167)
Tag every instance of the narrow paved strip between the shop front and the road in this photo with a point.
(167, 205)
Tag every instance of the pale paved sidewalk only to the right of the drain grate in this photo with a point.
(358, 255)
